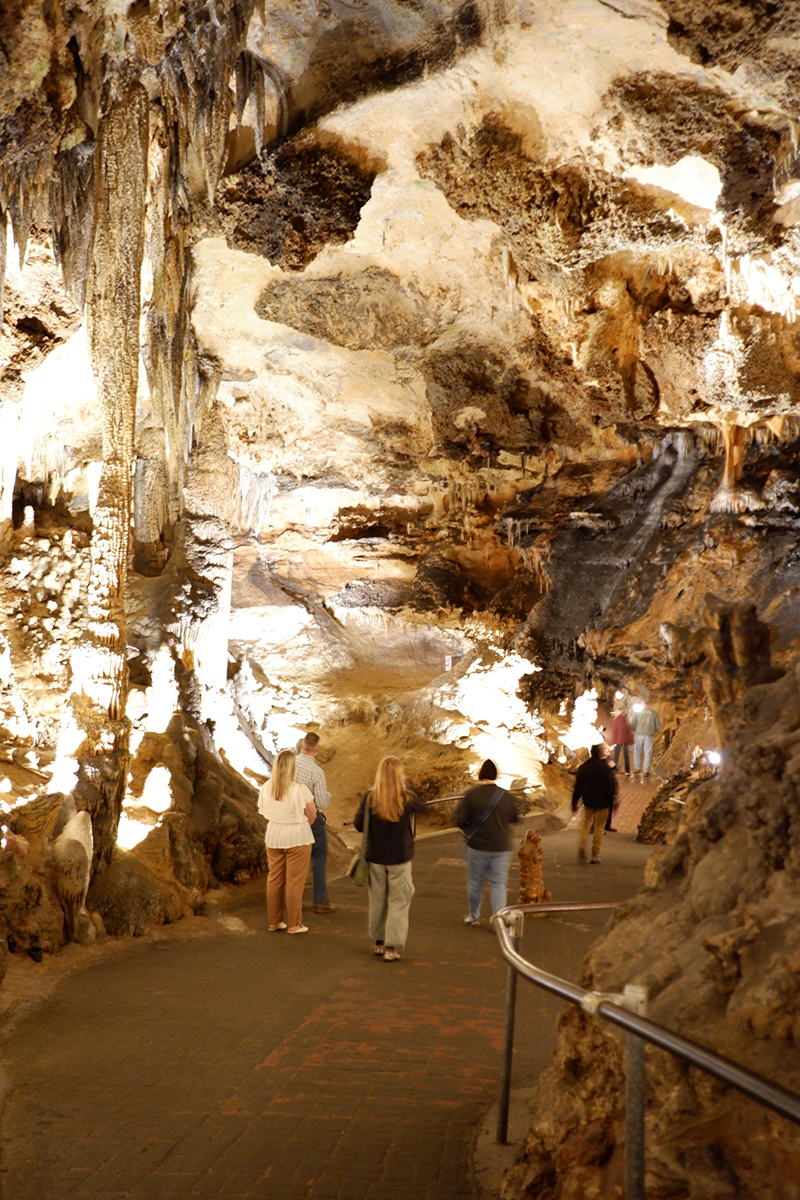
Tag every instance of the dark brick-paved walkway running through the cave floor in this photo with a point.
(221, 1060)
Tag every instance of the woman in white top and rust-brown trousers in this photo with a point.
(291, 812)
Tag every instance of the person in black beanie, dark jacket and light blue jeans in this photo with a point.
(485, 815)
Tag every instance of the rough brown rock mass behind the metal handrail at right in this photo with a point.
(713, 940)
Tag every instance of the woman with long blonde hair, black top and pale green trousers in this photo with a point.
(390, 850)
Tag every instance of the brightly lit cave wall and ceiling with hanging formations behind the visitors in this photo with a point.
(406, 373)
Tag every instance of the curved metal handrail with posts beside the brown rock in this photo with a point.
(622, 1011)
